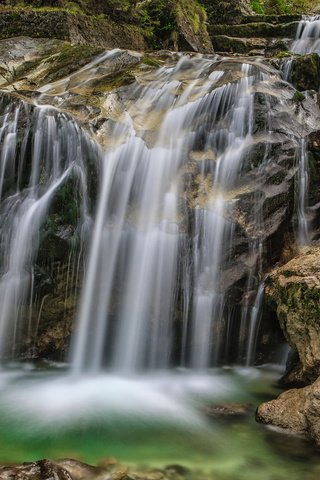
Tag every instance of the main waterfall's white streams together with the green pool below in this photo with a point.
(151, 229)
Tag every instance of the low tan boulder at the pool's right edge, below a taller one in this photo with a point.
(296, 411)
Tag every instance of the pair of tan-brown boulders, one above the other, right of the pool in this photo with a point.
(294, 291)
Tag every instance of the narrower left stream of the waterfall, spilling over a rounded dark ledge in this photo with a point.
(43, 151)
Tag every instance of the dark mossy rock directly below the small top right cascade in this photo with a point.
(305, 72)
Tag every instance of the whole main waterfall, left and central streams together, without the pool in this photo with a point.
(156, 236)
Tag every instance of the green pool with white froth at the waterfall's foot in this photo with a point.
(31, 427)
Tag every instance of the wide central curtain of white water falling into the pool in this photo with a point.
(141, 266)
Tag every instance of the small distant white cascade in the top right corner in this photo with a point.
(308, 36)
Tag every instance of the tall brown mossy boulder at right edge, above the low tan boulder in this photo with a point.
(294, 290)
